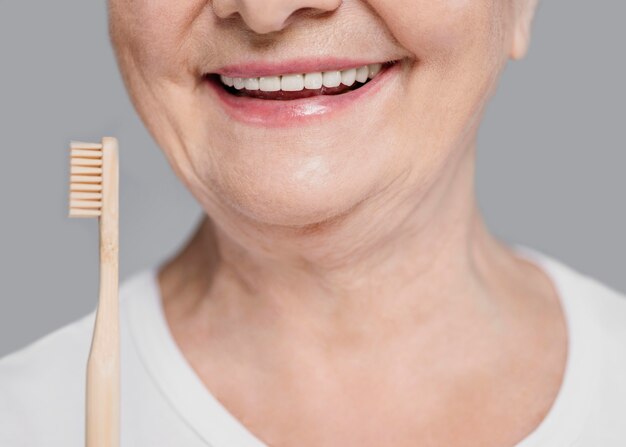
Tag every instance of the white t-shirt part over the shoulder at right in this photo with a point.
(591, 406)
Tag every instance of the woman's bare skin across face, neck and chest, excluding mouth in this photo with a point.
(345, 289)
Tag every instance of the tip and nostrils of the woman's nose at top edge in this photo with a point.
(266, 16)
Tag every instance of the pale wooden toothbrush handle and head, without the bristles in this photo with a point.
(103, 365)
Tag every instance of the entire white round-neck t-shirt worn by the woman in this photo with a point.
(164, 403)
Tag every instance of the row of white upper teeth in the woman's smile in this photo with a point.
(297, 82)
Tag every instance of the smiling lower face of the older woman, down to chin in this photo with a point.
(296, 162)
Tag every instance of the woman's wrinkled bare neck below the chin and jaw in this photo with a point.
(393, 261)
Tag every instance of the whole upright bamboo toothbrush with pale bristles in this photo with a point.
(94, 192)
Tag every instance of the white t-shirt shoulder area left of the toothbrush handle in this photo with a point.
(42, 385)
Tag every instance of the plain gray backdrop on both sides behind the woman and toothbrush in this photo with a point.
(550, 168)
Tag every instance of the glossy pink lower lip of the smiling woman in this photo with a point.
(286, 113)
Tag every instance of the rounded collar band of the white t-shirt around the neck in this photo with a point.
(216, 426)
